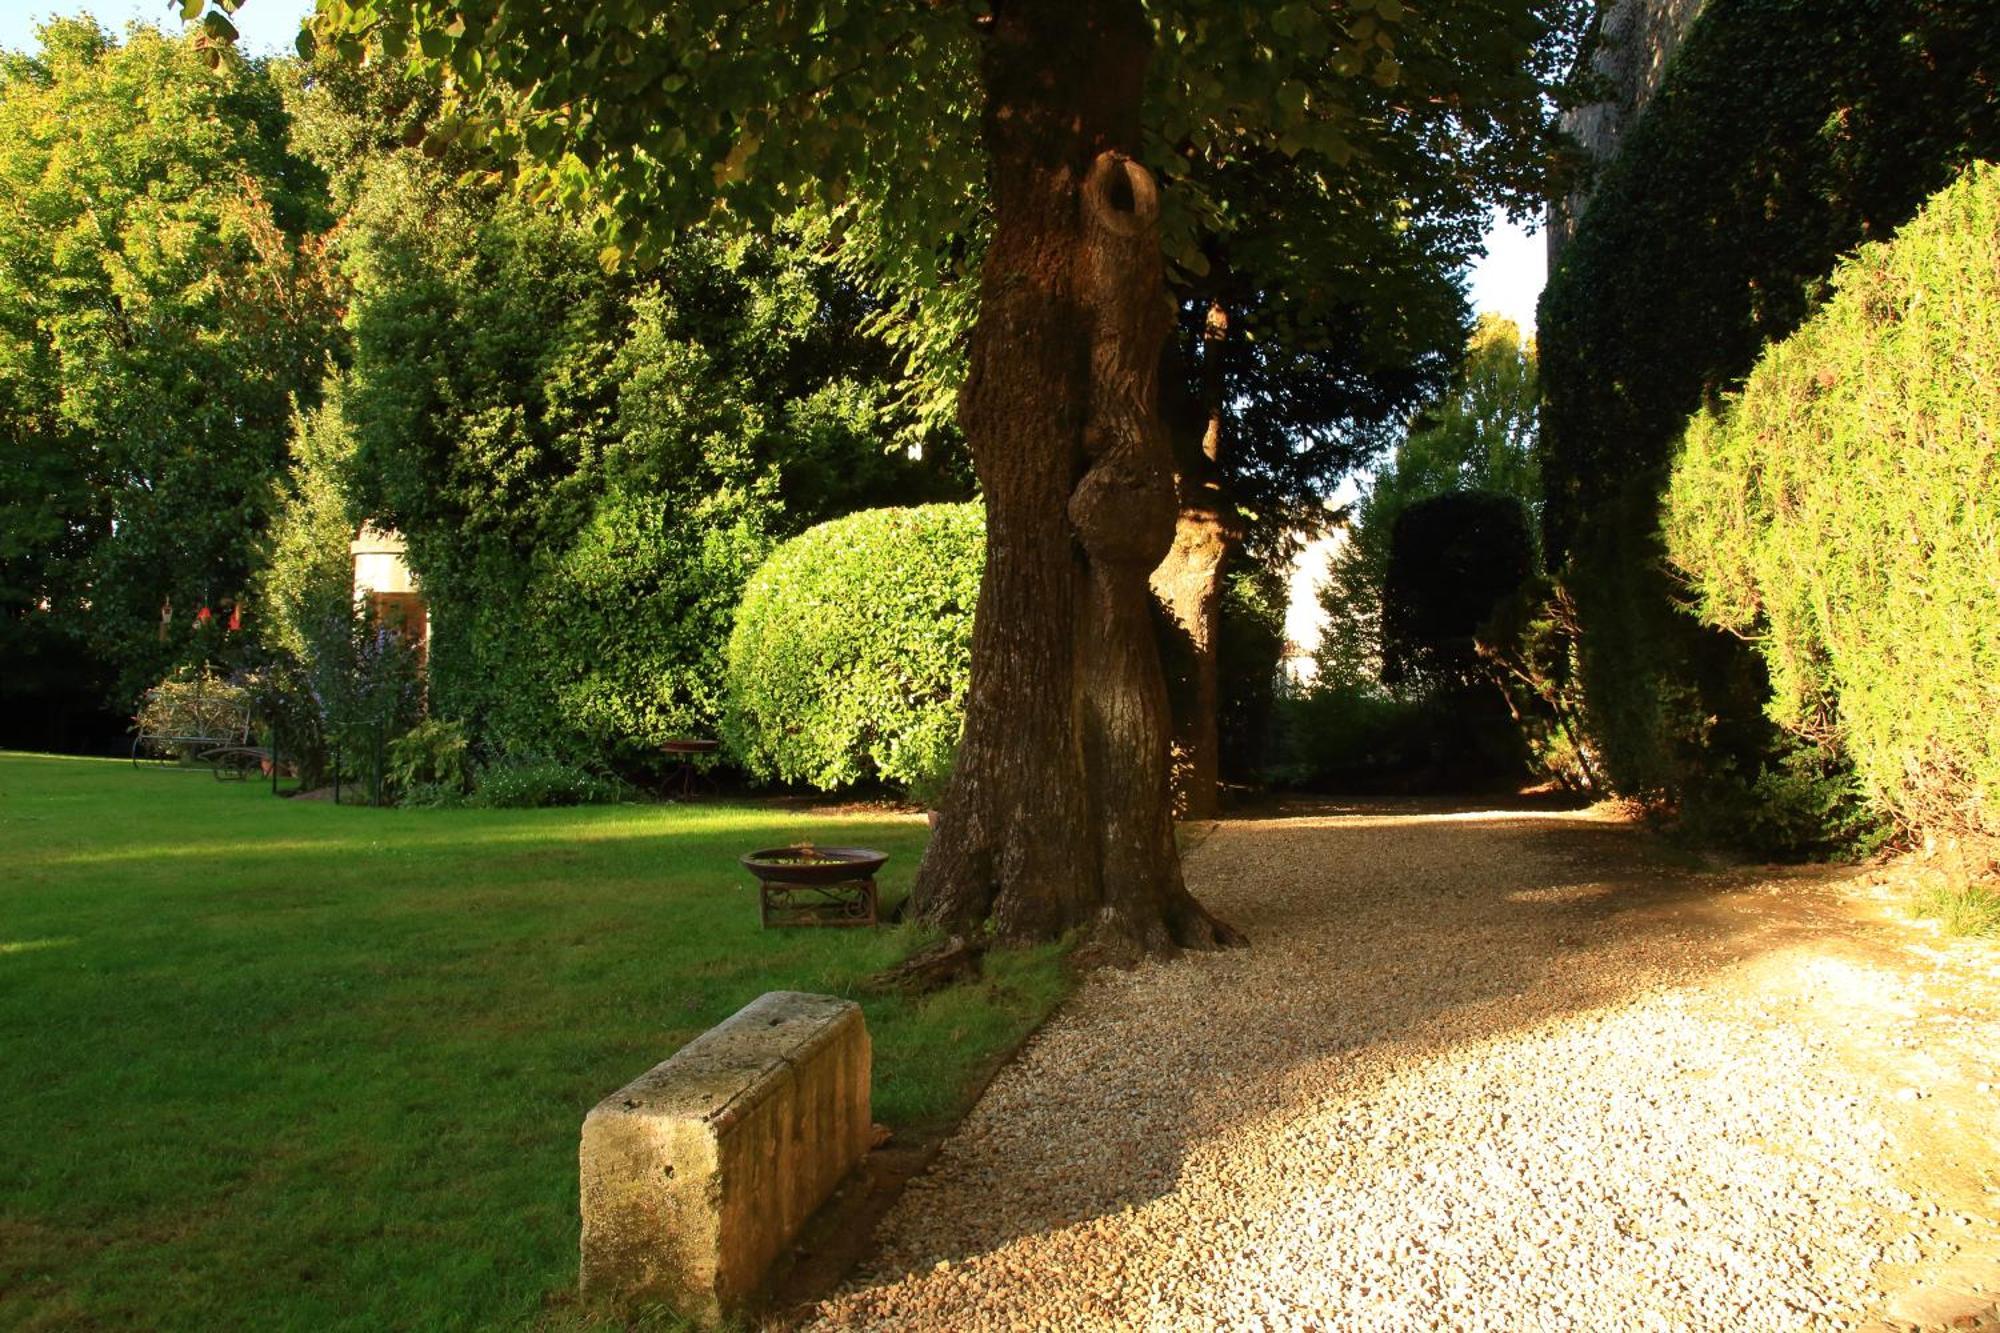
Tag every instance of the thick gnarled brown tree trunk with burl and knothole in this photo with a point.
(1059, 808)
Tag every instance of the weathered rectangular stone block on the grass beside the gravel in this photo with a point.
(701, 1172)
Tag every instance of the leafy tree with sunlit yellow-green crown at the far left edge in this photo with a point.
(161, 309)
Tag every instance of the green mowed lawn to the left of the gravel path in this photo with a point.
(293, 1066)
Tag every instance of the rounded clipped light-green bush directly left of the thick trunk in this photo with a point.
(853, 649)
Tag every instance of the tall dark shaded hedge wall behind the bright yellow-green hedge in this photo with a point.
(1785, 135)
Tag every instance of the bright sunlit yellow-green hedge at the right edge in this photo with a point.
(1837, 515)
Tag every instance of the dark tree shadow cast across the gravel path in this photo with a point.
(1429, 932)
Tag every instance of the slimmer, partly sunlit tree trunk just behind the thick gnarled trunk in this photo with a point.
(1189, 581)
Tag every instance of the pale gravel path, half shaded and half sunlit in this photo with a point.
(1477, 1072)
